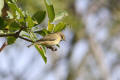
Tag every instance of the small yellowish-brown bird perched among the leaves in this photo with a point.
(50, 39)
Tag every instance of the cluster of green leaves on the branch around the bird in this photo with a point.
(16, 23)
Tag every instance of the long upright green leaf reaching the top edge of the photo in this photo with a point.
(50, 10)
